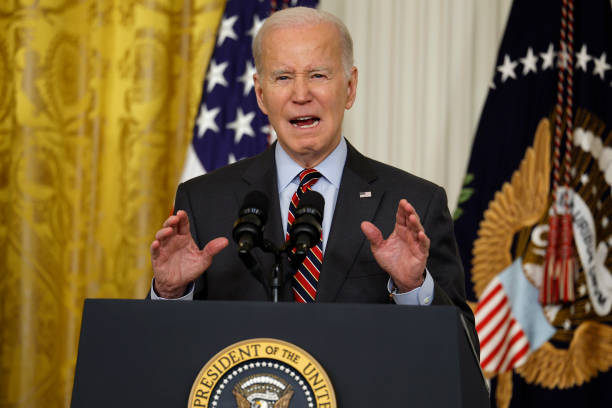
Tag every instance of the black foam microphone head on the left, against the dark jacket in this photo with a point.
(248, 228)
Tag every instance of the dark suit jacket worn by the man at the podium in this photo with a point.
(349, 272)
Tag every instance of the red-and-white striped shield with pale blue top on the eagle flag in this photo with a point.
(509, 320)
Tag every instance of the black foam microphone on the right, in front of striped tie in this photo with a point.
(305, 231)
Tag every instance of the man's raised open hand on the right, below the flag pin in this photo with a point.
(404, 253)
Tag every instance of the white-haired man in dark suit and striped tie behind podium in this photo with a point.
(304, 82)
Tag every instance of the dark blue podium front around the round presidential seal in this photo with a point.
(149, 353)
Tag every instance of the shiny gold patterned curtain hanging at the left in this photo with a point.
(97, 100)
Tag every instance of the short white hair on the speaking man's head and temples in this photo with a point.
(304, 16)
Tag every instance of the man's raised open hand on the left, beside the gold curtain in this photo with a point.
(177, 261)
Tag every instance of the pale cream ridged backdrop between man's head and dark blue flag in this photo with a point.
(424, 70)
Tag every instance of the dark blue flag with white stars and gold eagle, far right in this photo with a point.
(535, 211)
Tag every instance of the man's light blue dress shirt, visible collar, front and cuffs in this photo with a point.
(328, 186)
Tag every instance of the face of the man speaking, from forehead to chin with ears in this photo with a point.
(304, 91)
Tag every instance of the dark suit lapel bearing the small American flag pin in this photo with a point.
(345, 238)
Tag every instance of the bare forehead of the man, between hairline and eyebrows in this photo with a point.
(302, 46)
